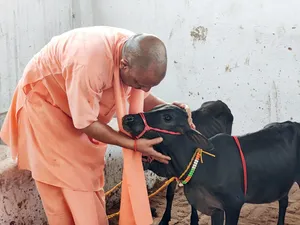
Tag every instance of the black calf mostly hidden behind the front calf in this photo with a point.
(211, 118)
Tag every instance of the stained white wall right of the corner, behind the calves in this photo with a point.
(239, 54)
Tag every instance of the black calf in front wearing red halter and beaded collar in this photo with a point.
(271, 155)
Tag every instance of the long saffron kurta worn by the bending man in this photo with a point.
(66, 86)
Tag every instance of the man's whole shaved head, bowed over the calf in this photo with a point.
(143, 63)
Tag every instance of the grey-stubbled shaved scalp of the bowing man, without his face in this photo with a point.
(144, 51)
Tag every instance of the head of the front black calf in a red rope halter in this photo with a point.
(179, 146)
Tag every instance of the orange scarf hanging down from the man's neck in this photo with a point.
(135, 207)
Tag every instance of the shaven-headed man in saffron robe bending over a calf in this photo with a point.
(56, 126)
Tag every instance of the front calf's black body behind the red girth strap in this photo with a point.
(272, 161)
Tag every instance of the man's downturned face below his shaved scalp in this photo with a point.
(139, 78)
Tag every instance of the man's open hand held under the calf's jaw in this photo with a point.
(145, 146)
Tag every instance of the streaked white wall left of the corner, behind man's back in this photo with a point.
(25, 26)
